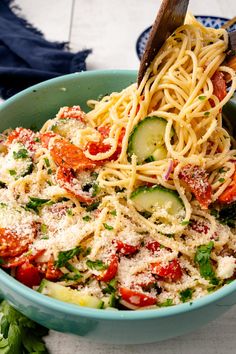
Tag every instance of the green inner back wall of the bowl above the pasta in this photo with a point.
(33, 106)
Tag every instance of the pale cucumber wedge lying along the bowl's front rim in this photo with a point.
(60, 292)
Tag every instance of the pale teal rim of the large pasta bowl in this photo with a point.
(75, 310)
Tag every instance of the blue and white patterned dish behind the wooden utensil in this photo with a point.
(208, 21)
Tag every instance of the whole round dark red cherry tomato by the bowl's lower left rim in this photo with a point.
(28, 274)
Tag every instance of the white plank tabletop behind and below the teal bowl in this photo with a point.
(110, 28)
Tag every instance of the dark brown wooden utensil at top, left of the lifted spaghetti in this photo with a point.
(170, 16)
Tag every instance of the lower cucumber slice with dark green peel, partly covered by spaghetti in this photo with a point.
(146, 198)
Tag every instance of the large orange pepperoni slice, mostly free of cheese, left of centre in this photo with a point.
(70, 156)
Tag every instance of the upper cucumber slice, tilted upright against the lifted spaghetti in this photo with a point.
(147, 136)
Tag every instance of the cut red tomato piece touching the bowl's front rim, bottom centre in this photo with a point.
(136, 298)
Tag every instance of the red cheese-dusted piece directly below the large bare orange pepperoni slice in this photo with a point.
(67, 180)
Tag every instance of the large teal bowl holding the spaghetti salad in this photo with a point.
(33, 107)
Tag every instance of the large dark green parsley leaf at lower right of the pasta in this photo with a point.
(203, 259)
